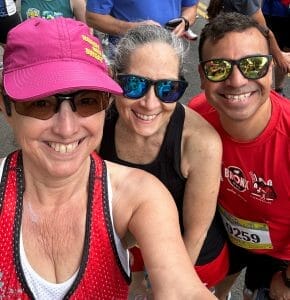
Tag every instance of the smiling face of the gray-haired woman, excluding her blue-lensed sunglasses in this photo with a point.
(148, 115)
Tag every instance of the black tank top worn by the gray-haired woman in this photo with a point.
(166, 167)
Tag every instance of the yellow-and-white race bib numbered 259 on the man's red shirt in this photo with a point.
(246, 234)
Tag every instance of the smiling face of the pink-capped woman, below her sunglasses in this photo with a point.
(60, 146)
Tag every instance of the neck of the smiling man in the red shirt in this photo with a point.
(251, 128)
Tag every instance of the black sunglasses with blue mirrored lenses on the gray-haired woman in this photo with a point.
(166, 90)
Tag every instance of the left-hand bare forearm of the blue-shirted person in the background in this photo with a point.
(111, 25)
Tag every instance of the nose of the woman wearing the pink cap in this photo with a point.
(66, 122)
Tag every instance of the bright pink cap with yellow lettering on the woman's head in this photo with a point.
(45, 57)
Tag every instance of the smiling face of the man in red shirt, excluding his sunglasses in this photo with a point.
(237, 98)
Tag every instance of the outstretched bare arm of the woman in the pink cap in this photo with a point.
(146, 208)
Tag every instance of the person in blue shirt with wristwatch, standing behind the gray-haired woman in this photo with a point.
(117, 17)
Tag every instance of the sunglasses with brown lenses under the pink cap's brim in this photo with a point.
(85, 103)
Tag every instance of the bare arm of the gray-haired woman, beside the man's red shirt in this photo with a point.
(201, 163)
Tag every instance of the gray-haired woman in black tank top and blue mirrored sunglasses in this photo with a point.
(154, 132)
